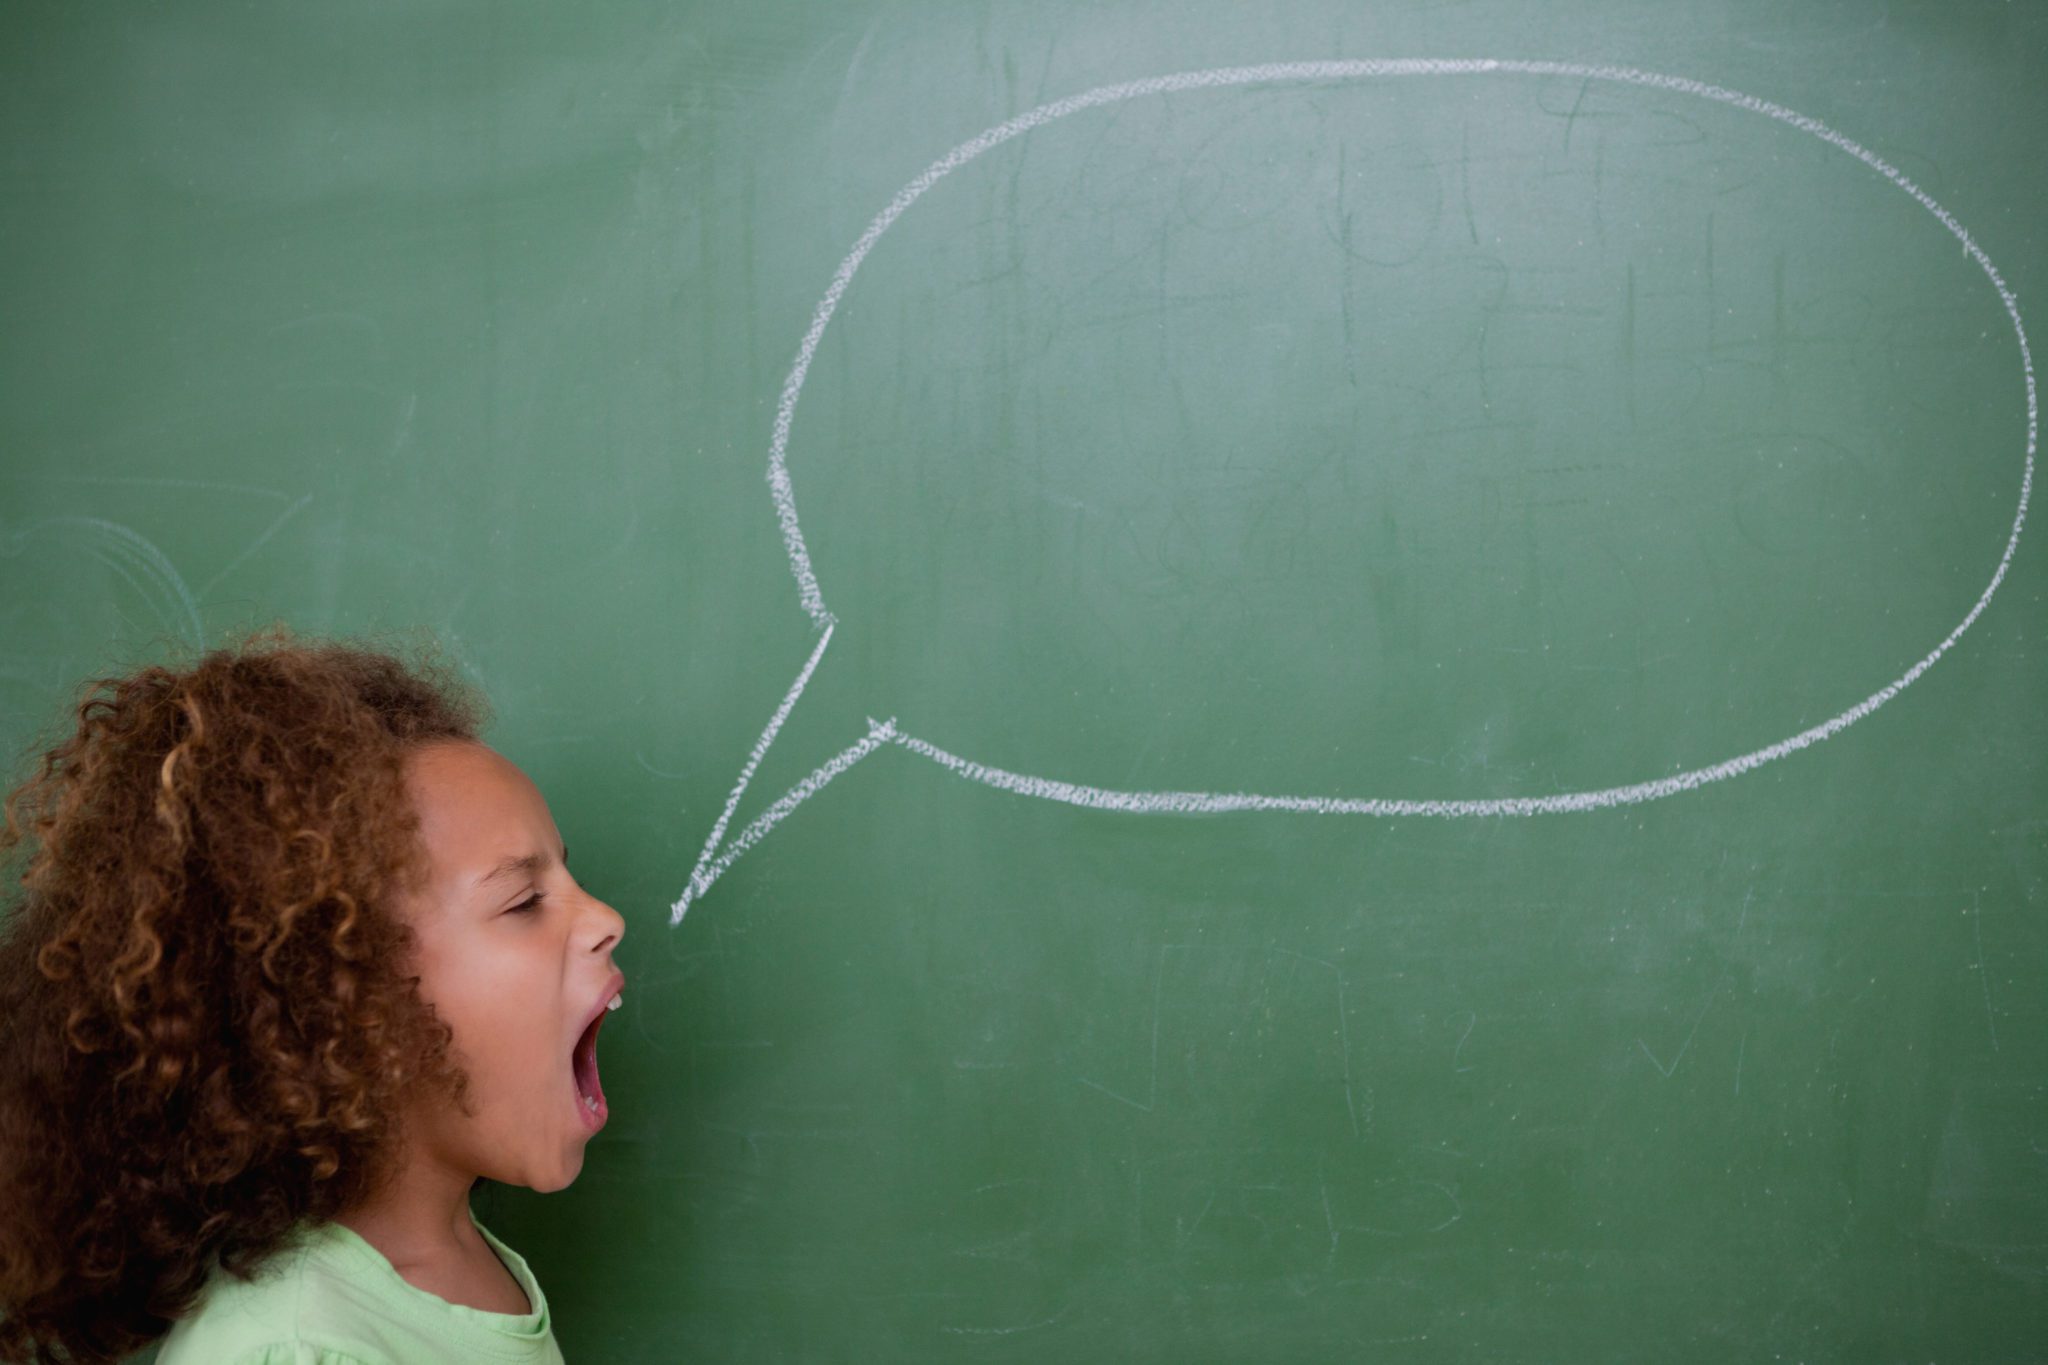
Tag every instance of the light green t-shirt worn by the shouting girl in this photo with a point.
(331, 1298)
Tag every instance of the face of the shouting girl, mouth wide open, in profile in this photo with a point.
(517, 961)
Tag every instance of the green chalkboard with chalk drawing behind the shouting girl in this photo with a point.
(1263, 685)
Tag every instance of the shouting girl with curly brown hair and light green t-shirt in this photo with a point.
(296, 963)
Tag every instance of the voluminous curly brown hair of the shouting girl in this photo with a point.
(206, 1014)
